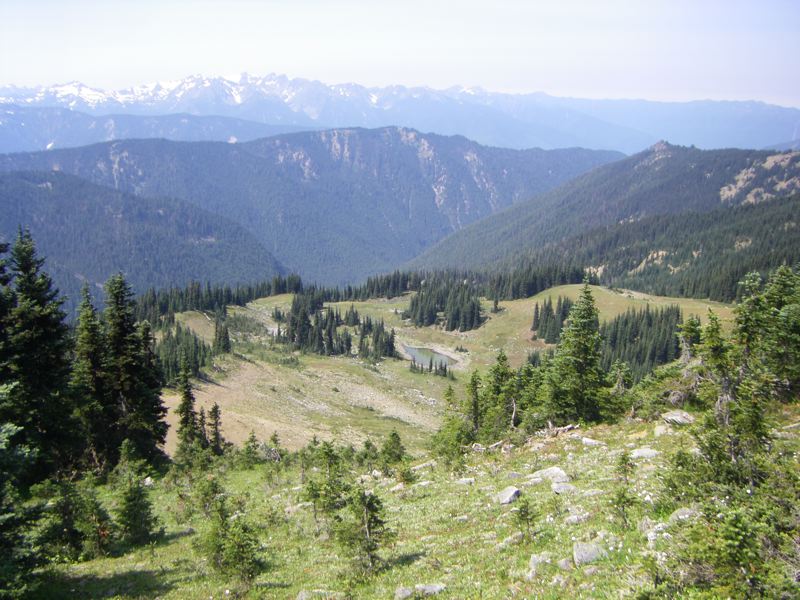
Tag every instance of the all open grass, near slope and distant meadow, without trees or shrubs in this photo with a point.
(446, 533)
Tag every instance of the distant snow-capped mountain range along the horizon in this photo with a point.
(510, 120)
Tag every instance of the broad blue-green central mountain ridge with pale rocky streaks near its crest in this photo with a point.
(334, 206)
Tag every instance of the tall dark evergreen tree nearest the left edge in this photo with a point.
(38, 343)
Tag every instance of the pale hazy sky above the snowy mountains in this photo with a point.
(655, 49)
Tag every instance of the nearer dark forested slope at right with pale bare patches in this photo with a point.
(697, 255)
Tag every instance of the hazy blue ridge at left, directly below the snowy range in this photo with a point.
(27, 129)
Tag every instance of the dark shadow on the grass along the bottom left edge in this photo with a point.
(55, 585)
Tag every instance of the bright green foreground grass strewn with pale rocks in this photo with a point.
(432, 545)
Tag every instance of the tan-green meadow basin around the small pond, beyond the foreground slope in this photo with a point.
(266, 388)
